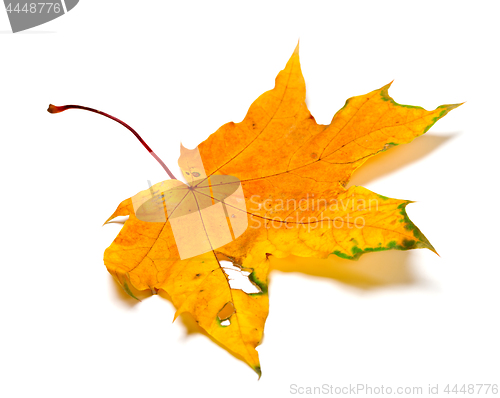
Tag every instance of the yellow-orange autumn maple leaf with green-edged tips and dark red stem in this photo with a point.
(293, 174)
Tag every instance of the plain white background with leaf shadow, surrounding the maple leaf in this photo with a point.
(176, 71)
